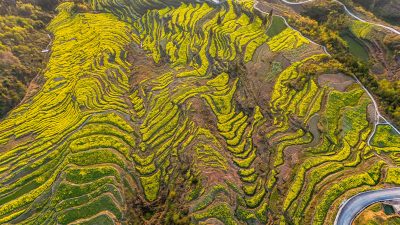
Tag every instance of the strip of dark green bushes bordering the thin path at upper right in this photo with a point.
(327, 34)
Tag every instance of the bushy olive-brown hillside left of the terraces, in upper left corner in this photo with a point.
(23, 36)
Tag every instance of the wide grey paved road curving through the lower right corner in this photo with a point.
(349, 209)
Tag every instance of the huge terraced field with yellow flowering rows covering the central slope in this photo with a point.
(148, 115)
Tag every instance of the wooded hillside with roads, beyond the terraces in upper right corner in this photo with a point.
(368, 47)
